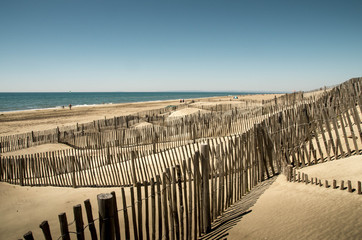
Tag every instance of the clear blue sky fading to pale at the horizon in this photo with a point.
(221, 45)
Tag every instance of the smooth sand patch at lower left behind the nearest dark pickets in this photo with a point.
(24, 208)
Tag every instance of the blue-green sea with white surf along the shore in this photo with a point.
(27, 101)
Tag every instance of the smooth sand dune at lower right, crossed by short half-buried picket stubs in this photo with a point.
(297, 211)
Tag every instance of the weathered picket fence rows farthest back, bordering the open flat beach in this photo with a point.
(117, 130)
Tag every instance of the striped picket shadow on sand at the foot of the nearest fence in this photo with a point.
(220, 227)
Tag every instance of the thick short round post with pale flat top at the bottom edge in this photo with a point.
(106, 218)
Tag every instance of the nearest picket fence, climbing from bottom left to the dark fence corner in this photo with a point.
(181, 202)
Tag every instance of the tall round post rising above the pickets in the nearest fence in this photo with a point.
(205, 182)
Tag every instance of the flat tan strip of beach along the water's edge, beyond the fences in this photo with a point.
(39, 120)
